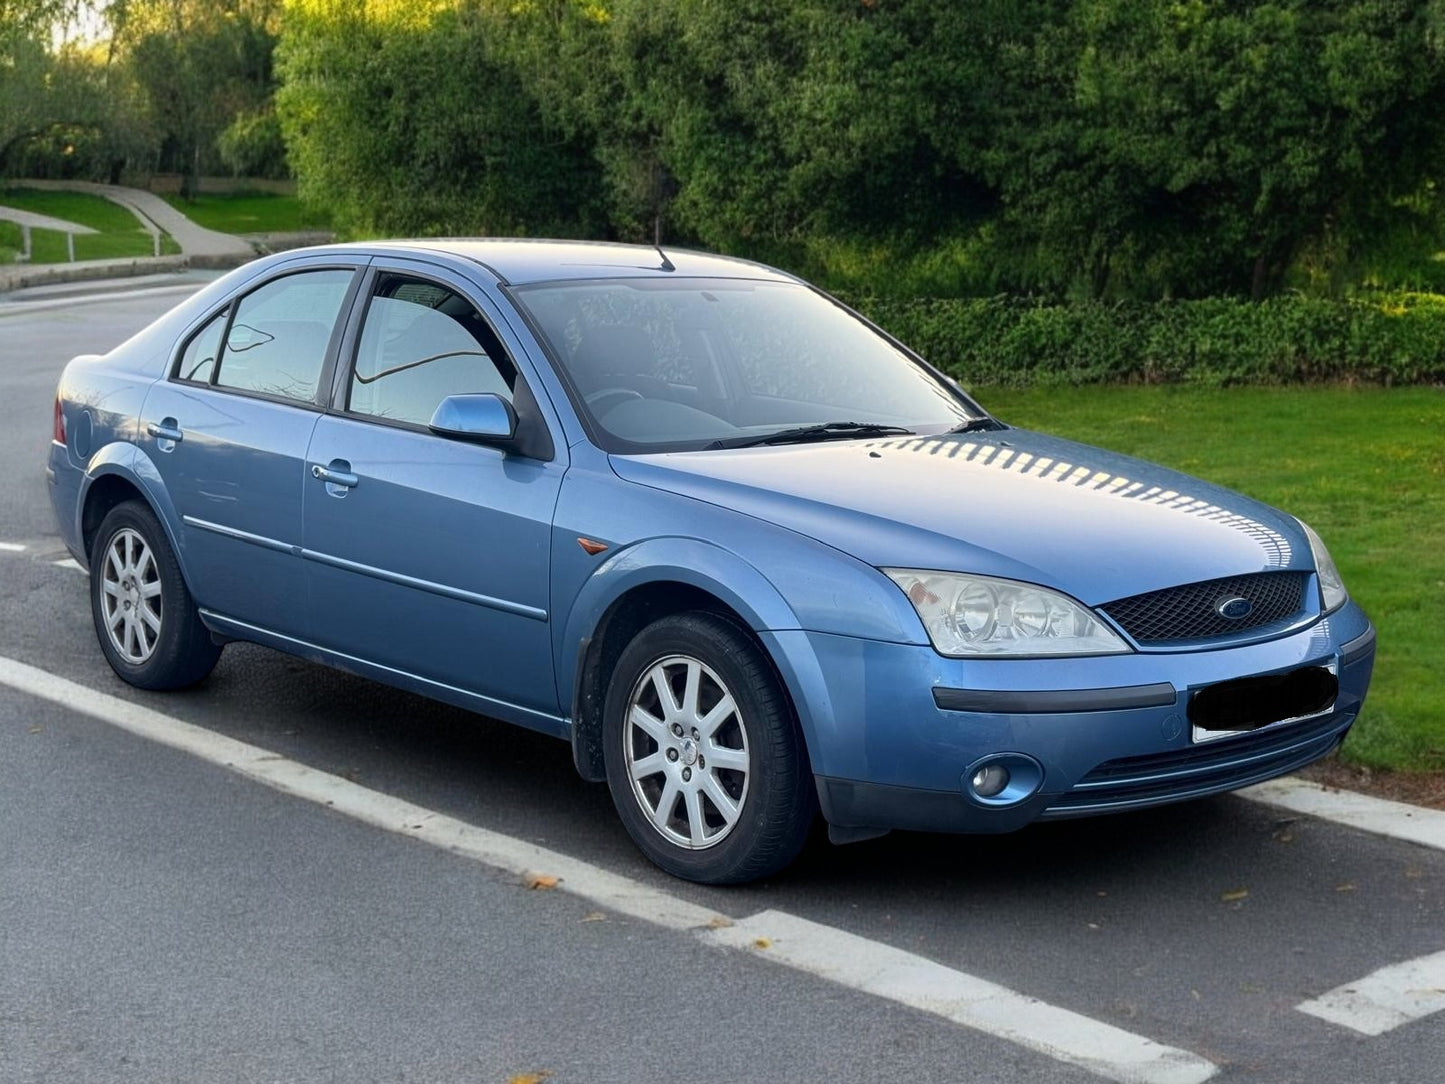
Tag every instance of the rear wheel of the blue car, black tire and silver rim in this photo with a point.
(145, 618)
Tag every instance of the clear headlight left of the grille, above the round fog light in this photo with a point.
(979, 615)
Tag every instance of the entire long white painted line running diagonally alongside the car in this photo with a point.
(819, 950)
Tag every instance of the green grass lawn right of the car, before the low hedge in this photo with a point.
(1365, 468)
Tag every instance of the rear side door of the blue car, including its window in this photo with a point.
(228, 430)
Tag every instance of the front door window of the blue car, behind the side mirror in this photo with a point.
(420, 345)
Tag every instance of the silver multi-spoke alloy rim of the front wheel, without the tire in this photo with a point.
(686, 739)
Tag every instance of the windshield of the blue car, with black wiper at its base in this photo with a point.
(693, 364)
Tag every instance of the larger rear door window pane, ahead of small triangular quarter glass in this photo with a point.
(278, 340)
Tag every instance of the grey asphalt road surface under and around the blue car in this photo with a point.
(167, 920)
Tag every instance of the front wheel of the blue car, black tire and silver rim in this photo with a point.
(704, 758)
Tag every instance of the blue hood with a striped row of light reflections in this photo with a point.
(1011, 504)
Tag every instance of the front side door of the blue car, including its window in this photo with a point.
(428, 554)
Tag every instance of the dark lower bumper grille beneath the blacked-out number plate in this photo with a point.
(1220, 765)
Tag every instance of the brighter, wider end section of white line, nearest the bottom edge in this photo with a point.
(921, 984)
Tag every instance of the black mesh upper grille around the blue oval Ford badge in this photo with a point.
(1189, 614)
